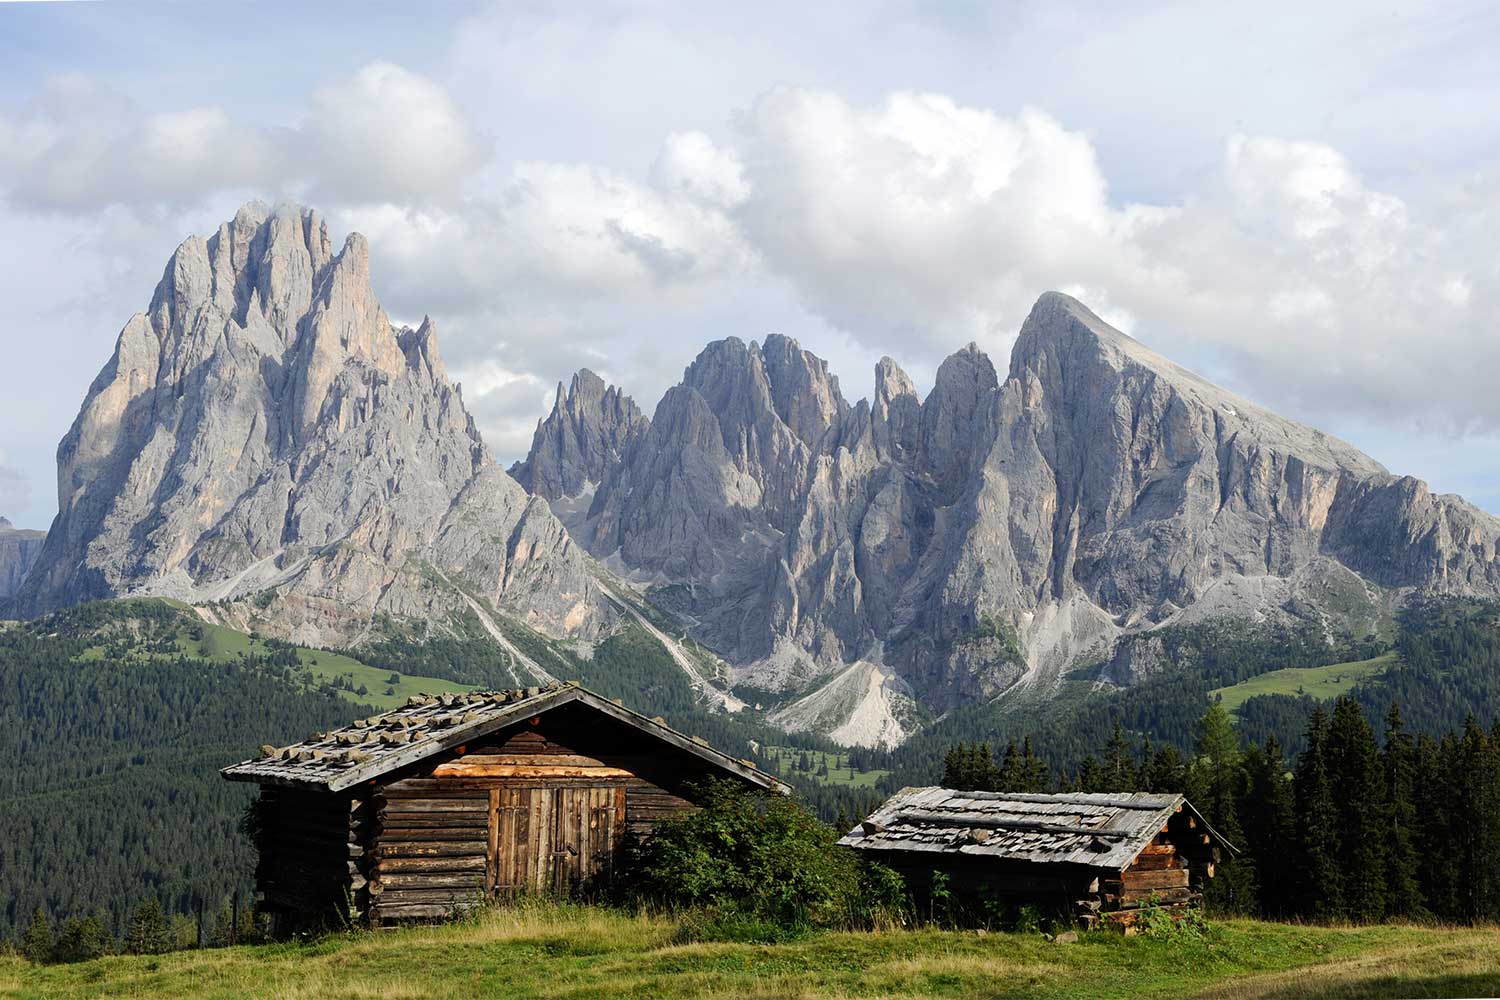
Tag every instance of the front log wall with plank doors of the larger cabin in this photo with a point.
(541, 806)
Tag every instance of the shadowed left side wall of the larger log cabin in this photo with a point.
(311, 857)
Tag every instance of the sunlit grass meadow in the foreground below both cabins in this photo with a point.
(575, 953)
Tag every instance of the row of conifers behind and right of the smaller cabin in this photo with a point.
(1355, 830)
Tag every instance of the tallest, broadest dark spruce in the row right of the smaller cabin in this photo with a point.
(1354, 768)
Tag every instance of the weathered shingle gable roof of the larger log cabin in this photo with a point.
(430, 725)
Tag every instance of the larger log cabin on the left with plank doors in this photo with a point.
(455, 800)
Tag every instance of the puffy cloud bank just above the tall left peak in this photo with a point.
(383, 134)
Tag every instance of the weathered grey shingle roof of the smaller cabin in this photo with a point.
(1093, 830)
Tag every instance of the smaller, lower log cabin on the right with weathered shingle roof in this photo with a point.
(1093, 857)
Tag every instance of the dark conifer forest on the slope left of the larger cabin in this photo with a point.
(112, 797)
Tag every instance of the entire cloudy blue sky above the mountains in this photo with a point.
(1300, 202)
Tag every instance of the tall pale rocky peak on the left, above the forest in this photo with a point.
(266, 430)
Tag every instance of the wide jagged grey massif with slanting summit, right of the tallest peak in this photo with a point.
(860, 558)
